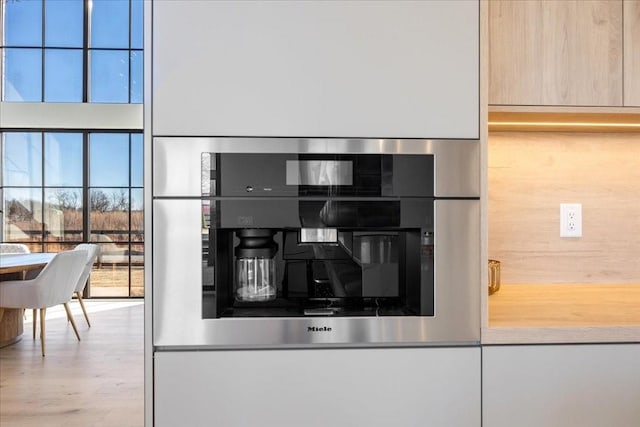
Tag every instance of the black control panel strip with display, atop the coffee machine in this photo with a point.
(293, 175)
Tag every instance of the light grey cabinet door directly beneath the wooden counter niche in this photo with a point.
(562, 385)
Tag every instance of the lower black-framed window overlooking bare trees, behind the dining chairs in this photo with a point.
(51, 204)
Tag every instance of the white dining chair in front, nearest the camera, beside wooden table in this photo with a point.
(54, 285)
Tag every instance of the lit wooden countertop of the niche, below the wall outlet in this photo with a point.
(578, 313)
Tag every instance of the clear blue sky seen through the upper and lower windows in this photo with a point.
(56, 42)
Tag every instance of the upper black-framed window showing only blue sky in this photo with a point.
(72, 51)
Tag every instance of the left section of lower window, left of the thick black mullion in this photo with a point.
(42, 179)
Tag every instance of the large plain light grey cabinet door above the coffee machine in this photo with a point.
(375, 69)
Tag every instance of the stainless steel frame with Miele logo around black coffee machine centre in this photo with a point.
(176, 252)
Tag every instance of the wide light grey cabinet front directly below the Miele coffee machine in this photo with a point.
(337, 387)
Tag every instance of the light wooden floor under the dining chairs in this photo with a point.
(98, 381)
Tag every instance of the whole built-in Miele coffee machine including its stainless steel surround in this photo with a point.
(294, 242)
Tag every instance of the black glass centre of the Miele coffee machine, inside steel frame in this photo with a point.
(287, 235)
